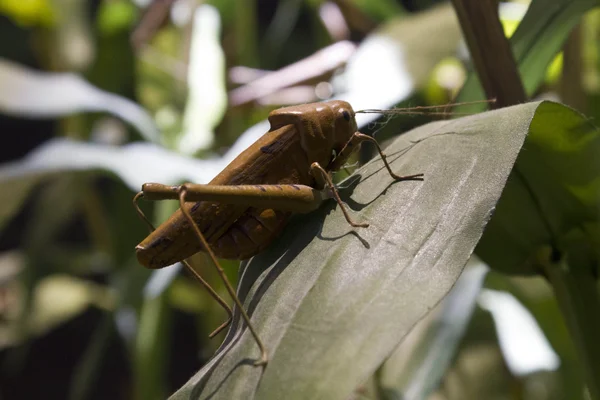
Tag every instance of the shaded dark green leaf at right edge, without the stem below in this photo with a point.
(552, 195)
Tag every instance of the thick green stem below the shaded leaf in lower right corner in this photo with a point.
(577, 296)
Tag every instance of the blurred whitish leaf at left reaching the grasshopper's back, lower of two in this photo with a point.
(134, 164)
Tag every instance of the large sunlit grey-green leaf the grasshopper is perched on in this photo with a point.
(332, 303)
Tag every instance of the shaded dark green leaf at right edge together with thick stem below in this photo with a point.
(547, 222)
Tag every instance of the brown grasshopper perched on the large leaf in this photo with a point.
(243, 209)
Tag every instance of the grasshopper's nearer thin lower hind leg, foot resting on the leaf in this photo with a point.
(182, 195)
